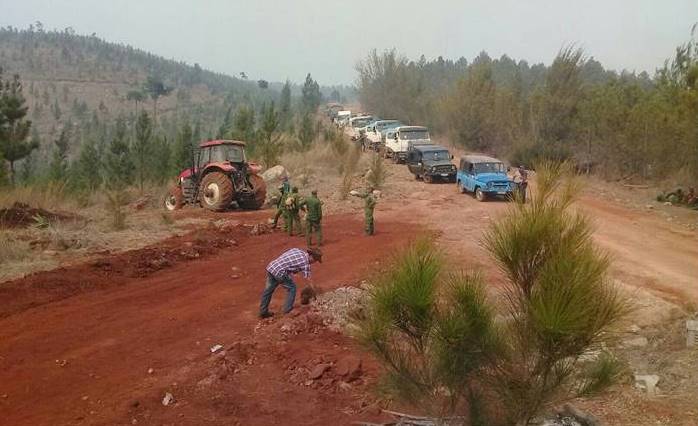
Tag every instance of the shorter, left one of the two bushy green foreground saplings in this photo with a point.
(434, 332)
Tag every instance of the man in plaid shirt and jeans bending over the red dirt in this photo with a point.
(280, 271)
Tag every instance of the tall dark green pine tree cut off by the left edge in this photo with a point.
(14, 128)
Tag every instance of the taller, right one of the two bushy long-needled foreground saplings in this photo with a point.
(560, 299)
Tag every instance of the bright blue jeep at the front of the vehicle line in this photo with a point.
(484, 177)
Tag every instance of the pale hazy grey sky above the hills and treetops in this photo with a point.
(283, 39)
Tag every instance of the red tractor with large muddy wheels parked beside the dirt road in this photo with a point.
(219, 176)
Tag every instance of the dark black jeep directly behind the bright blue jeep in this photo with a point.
(431, 162)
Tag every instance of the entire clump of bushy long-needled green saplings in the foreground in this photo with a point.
(451, 351)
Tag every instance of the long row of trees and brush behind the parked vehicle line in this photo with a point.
(619, 125)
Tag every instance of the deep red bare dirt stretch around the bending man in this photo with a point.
(82, 356)
